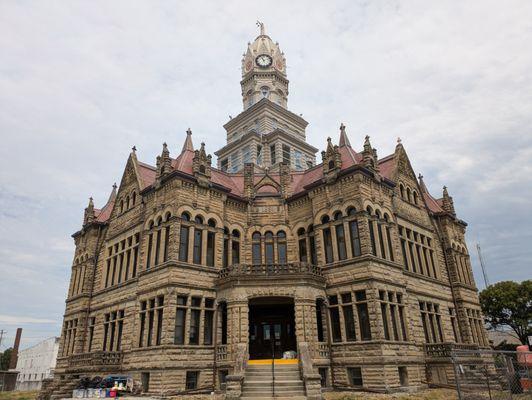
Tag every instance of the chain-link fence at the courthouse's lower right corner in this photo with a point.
(493, 375)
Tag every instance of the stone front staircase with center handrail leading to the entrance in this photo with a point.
(258, 383)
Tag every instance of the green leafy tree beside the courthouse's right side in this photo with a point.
(509, 304)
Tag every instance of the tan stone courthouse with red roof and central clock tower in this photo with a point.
(193, 275)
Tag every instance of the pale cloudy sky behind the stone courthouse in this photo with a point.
(82, 82)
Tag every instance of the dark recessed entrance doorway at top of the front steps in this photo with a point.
(271, 327)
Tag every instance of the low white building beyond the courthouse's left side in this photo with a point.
(36, 363)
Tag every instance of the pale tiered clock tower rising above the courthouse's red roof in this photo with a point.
(265, 133)
